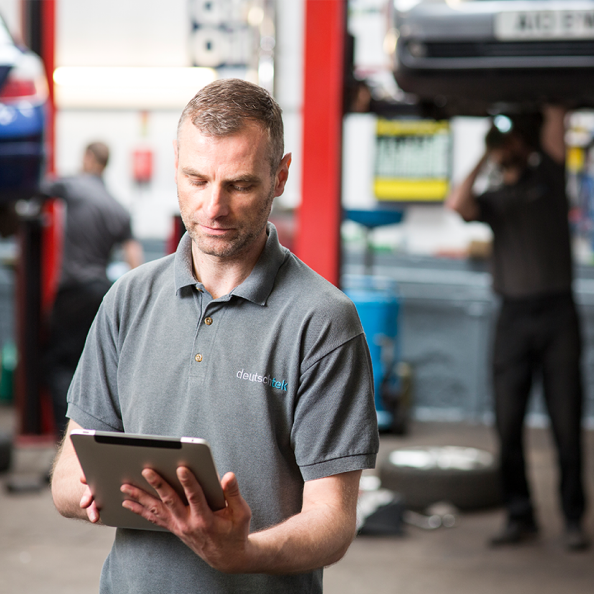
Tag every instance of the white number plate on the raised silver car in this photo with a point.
(544, 24)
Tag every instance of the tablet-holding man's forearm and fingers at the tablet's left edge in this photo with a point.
(72, 497)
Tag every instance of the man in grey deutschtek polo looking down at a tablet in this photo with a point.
(234, 340)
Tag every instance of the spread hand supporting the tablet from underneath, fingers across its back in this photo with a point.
(220, 538)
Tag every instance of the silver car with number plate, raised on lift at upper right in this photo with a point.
(461, 57)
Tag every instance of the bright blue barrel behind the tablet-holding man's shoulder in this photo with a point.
(378, 304)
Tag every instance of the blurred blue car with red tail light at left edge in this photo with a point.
(23, 102)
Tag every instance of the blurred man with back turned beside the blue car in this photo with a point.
(95, 224)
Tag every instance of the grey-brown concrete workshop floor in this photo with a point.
(42, 553)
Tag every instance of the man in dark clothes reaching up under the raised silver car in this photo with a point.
(538, 329)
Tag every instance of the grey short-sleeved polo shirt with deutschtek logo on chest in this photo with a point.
(276, 376)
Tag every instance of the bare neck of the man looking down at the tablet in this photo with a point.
(221, 275)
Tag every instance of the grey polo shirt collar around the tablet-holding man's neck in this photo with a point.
(256, 287)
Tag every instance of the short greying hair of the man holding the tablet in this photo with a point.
(226, 106)
